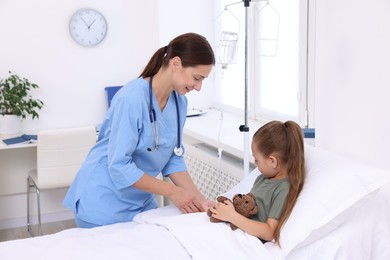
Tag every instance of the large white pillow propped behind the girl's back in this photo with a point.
(333, 184)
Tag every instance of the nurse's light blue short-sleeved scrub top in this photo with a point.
(102, 191)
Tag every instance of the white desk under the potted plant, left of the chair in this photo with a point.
(15, 161)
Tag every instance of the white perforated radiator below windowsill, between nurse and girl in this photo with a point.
(212, 175)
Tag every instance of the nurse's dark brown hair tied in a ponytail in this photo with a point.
(193, 49)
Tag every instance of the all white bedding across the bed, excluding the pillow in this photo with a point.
(166, 234)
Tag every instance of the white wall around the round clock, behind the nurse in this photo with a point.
(35, 43)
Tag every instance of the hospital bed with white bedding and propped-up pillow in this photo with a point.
(343, 212)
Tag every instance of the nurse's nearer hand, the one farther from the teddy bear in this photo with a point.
(185, 201)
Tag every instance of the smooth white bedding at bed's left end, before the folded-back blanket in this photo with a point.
(118, 241)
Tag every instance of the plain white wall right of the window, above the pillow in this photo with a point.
(352, 79)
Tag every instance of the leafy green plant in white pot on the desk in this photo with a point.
(16, 103)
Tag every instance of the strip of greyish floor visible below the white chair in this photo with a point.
(47, 228)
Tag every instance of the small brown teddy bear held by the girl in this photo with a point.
(245, 204)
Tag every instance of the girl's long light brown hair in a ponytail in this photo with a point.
(285, 142)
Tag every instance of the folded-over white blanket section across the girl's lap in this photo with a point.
(205, 240)
